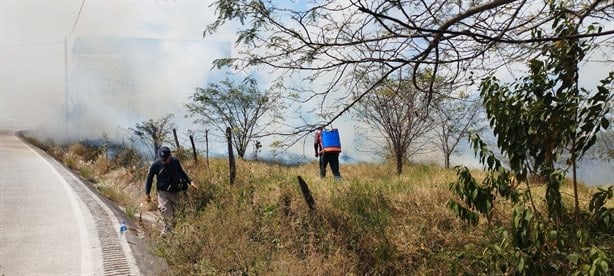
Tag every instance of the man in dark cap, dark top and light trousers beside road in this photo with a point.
(171, 179)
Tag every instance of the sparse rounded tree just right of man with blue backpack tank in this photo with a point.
(395, 110)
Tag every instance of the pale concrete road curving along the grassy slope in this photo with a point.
(50, 222)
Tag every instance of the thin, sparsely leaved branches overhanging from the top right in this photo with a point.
(329, 40)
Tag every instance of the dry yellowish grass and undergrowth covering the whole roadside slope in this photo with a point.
(371, 222)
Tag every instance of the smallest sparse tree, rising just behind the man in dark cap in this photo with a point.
(155, 132)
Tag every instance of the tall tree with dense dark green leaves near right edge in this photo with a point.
(546, 114)
